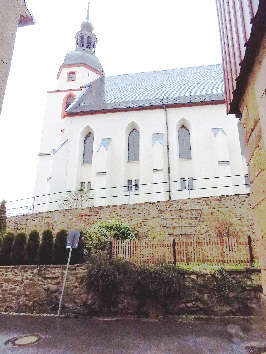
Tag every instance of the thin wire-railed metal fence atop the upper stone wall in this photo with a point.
(126, 194)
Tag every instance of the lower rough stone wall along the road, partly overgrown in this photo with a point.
(37, 289)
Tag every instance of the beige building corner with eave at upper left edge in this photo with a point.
(13, 14)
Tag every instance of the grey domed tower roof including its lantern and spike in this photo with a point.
(86, 42)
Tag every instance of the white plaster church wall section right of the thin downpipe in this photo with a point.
(204, 162)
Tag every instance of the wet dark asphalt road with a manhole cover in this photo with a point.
(87, 335)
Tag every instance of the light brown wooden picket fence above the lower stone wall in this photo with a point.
(190, 250)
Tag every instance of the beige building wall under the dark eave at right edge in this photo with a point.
(253, 109)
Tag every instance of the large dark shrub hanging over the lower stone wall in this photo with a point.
(106, 279)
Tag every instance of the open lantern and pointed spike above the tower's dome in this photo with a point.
(85, 38)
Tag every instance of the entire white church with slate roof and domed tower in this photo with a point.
(135, 138)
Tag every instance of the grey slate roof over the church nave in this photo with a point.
(167, 87)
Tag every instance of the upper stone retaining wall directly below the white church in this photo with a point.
(148, 218)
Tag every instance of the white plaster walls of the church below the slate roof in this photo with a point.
(203, 164)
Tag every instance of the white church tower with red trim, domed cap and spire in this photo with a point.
(80, 67)
